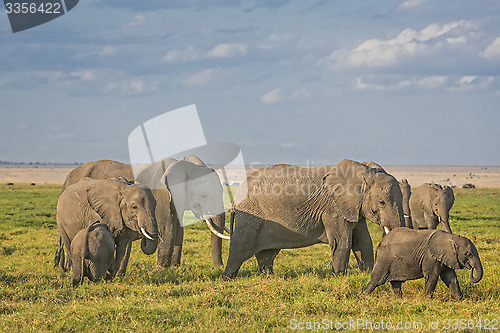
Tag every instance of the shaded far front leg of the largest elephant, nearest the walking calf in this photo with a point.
(362, 246)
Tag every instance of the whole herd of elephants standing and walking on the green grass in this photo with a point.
(101, 211)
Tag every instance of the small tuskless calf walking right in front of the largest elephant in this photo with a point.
(406, 254)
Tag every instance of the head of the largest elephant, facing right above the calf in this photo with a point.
(358, 189)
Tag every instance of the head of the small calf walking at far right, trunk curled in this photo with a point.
(456, 252)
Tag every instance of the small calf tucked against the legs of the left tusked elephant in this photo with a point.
(92, 252)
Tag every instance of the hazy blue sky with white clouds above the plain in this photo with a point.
(412, 82)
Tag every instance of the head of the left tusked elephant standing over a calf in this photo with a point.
(122, 204)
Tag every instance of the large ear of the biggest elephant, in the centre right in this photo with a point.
(346, 183)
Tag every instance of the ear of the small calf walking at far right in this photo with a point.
(444, 248)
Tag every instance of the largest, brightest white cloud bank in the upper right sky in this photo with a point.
(406, 46)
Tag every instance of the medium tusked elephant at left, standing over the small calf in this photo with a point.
(126, 208)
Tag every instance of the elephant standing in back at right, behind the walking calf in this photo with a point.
(431, 204)
